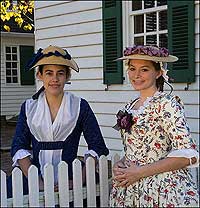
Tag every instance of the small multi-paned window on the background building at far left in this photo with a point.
(12, 57)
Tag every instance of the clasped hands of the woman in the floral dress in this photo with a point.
(127, 176)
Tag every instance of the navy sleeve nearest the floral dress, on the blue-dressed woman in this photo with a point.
(92, 133)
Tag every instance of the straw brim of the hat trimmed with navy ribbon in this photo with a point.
(56, 60)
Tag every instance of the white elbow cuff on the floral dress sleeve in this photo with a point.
(187, 153)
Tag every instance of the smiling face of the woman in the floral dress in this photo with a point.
(143, 75)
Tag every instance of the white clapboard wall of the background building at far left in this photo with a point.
(12, 95)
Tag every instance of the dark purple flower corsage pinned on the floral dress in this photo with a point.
(124, 121)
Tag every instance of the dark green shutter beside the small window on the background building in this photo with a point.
(27, 77)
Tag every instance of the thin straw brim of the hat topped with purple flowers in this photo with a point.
(167, 59)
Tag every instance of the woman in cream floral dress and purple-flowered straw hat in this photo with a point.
(159, 150)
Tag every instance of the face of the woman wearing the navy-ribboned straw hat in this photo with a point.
(53, 78)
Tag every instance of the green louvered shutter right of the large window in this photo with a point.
(181, 40)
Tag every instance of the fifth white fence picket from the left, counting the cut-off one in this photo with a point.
(63, 184)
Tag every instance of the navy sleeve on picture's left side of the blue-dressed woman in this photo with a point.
(22, 137)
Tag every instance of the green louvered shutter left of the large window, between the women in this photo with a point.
(112, 42)
